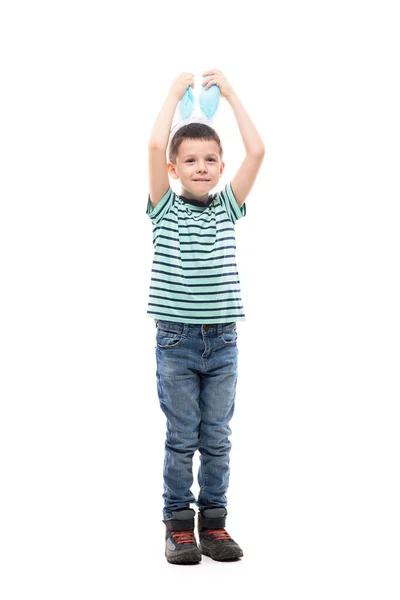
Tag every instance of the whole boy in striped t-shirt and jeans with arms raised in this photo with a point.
(195, 301)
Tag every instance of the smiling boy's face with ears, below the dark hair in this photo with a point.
(198, 166)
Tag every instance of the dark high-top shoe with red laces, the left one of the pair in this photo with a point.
(180, 543)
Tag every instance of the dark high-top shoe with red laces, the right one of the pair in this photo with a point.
(215, 541)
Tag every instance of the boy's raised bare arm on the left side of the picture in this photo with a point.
(158, 173)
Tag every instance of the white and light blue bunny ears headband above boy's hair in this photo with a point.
(200, 110)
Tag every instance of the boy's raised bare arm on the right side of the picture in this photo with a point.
(255, 150)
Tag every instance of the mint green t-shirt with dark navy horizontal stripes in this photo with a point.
(194, 277)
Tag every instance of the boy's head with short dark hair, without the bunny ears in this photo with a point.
(195, 157)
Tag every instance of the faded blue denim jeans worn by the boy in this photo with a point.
(196, 383)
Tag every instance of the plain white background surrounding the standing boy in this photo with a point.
(314, 497)
